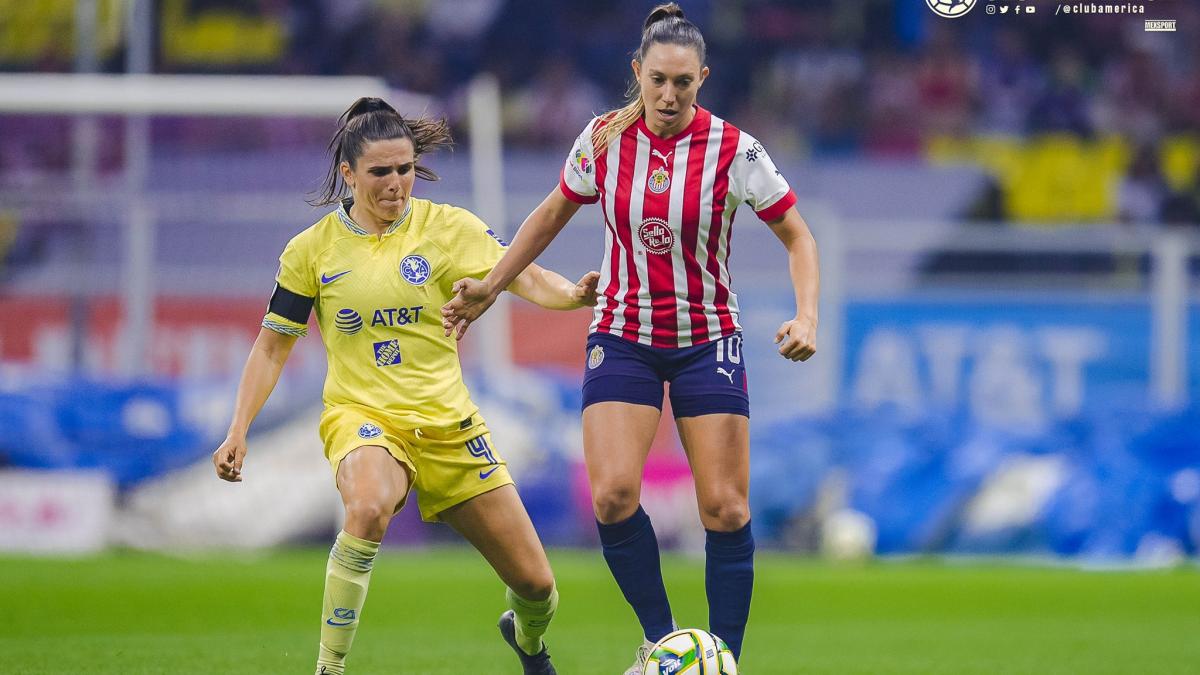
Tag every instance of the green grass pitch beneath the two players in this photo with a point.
(434, 612)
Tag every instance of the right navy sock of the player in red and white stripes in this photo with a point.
(729, 582)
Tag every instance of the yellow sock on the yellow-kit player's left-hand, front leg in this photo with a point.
(347, 578)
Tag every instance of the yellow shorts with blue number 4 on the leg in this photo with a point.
(448, 465)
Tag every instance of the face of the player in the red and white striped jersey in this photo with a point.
(670, 77)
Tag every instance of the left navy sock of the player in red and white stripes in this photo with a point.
(632, 552)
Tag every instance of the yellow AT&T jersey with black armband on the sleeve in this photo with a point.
(379, 302)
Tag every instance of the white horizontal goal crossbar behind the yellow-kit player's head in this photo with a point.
(195, 94)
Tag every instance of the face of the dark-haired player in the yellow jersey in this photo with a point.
(382, 178)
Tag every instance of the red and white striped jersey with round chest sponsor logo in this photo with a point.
(669, 207)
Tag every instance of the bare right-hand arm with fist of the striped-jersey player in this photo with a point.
(799, 337)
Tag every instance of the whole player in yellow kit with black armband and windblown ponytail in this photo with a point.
(398, 414)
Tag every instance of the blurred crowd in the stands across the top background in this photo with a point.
(813, 79)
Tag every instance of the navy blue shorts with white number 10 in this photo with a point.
(705, 379)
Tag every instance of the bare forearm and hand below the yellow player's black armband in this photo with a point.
(259, 379)
